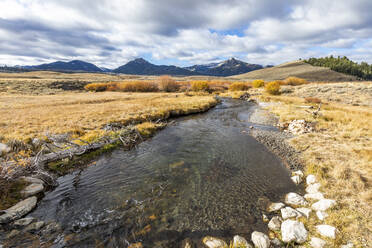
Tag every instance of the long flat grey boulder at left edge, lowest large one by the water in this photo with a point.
(19, 210)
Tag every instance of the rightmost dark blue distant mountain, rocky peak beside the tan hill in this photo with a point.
(226, 68)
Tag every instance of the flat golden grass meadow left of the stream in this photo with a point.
(23, 117)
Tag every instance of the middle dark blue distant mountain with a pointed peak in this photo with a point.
(143, 67)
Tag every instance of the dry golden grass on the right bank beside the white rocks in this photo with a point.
(340, 155)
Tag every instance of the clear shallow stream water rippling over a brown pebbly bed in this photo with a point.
(204, 175)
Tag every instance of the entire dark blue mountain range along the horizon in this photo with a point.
(140, 66)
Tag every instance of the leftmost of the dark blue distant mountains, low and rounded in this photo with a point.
(74, 65)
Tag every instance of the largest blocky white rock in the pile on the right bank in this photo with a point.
(293, 231)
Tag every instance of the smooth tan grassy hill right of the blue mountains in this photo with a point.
(297, 69)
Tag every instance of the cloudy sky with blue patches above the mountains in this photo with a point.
(110, 33)
